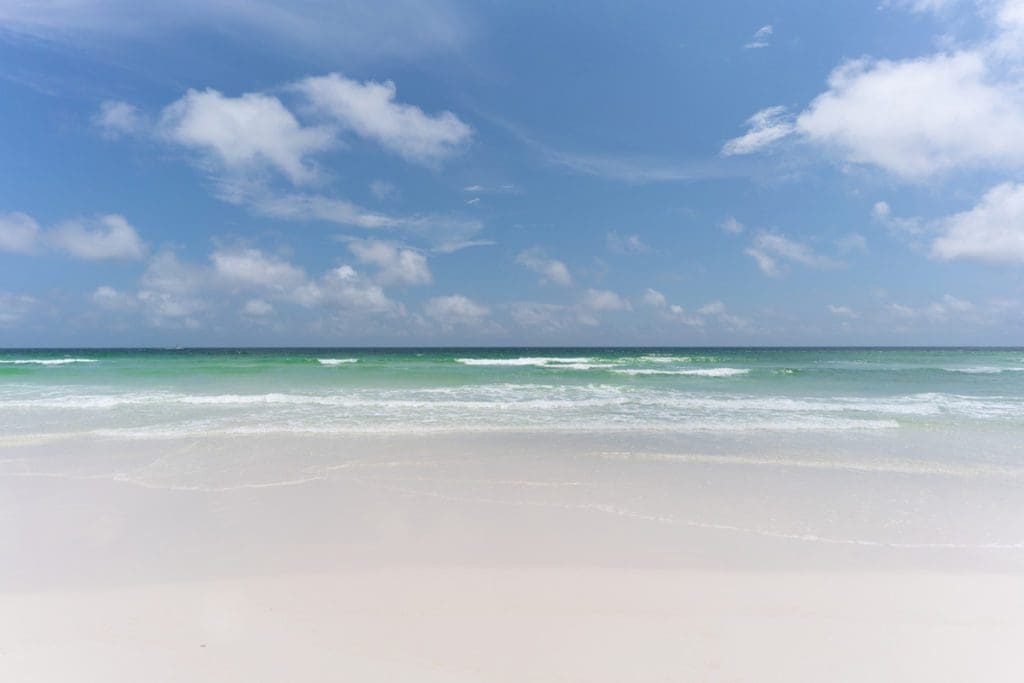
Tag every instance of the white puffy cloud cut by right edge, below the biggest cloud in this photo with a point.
(993, 231)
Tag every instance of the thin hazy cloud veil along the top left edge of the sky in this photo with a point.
(342, 29)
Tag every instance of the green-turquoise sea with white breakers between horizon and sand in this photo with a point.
(164, 394)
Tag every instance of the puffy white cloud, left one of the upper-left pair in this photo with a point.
(245, 135)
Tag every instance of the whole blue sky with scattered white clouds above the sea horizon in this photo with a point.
(306, 173)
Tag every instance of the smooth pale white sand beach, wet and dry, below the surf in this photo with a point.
(508, 571)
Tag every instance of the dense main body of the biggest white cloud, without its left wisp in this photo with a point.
(919, 118)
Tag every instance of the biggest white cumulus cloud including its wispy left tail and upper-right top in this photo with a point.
(918, 118)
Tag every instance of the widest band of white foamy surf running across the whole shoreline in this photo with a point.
(548, 403)
